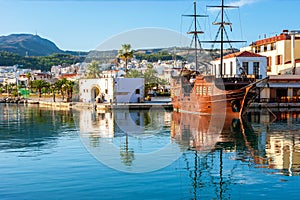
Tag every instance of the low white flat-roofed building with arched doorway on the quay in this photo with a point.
(112, 90)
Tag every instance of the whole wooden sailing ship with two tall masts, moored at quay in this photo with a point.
(205, 94)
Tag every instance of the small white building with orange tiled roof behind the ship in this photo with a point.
(235, 64)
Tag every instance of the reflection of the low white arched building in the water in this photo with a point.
(120, 122)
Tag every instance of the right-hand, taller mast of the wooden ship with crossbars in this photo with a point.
(222, 32)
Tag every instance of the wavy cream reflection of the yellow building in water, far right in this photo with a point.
(280, 140)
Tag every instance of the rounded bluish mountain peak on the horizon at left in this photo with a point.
(28, 44)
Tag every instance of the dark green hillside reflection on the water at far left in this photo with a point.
(28, 128)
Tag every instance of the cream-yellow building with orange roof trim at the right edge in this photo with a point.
(283, 67)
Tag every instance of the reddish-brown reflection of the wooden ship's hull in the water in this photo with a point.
(204, 132)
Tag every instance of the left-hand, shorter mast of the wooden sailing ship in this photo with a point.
(195, 32)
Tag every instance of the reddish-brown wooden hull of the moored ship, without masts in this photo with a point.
(206, 96)
